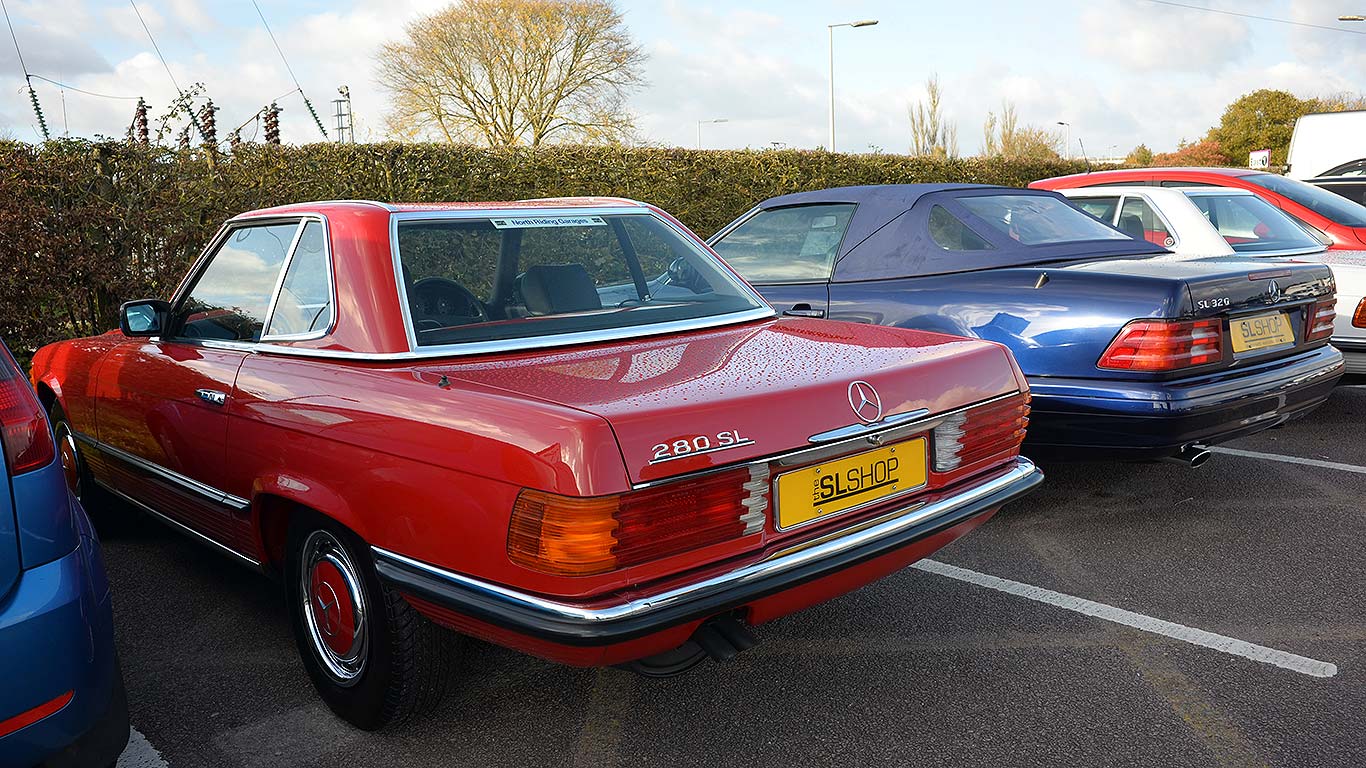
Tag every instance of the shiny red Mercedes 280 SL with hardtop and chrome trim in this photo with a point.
(565, 427)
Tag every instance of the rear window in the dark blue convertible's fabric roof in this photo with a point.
(1035, 219)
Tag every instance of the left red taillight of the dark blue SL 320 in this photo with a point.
(1166, 345)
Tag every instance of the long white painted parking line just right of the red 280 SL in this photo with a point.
(1137, 621)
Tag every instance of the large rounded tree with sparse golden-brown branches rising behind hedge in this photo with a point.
(509, 73)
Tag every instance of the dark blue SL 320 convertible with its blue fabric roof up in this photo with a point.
(1129, 356)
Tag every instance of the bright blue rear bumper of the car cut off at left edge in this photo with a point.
(57, 635)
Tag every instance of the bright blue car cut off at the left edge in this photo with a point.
(62, 699)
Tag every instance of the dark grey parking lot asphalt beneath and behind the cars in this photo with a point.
(1072, 661)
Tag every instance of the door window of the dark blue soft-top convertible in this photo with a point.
(787, 245)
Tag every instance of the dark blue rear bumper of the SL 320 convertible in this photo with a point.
(1088, 419)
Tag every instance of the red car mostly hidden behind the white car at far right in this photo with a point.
(1338, 222)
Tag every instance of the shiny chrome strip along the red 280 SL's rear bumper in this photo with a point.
(1021, 472)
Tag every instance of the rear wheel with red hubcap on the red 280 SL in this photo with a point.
(374, 659)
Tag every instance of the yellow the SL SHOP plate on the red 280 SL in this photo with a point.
(841, 486)
